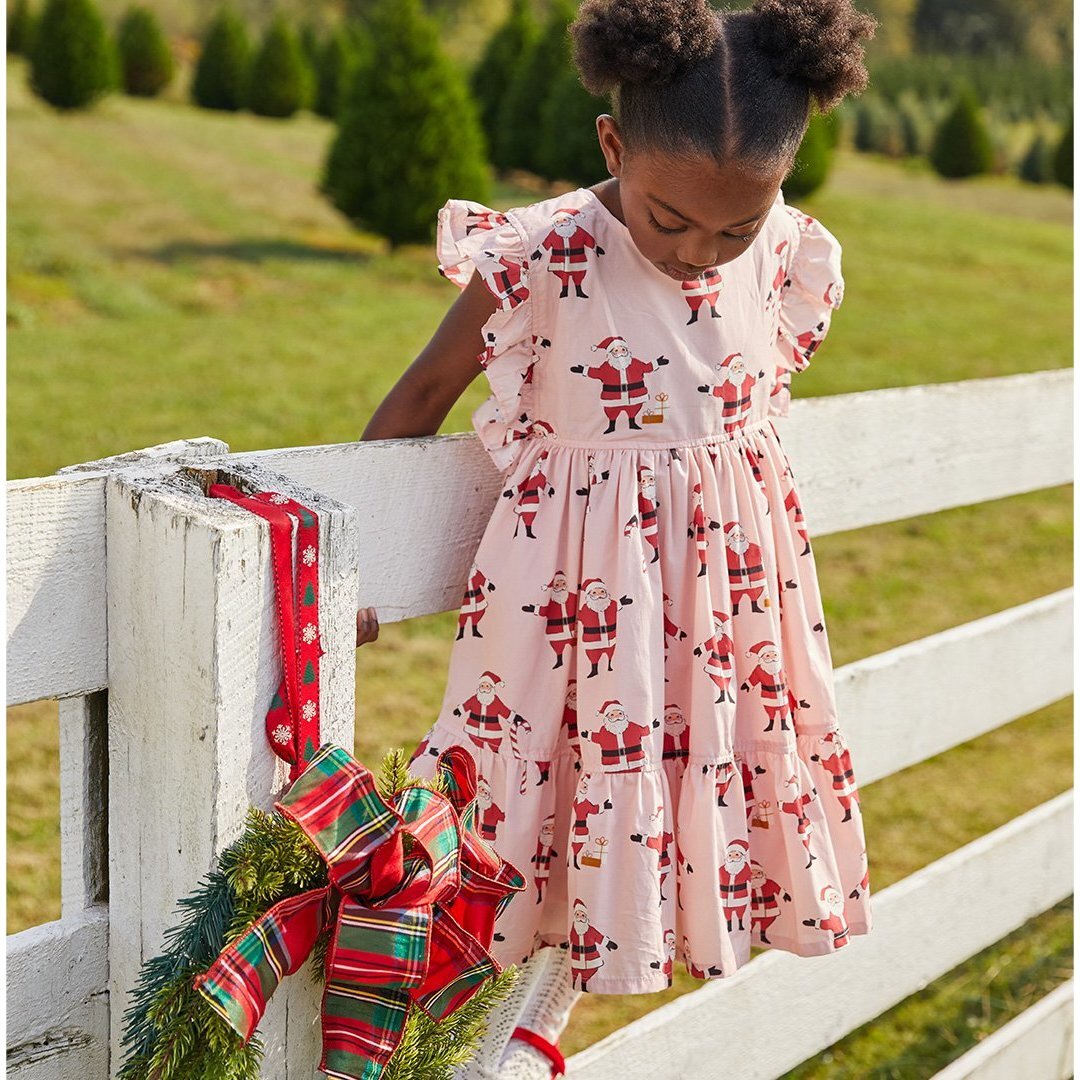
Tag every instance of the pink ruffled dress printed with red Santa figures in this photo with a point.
(642, 670)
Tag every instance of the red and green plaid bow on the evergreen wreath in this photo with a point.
(410, 926)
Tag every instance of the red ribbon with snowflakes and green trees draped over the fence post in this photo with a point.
(292, 722)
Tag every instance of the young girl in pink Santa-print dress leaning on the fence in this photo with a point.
(642, 670)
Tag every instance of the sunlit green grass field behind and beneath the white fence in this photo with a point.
(173, 274)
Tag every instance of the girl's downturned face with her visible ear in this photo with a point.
(686, 217)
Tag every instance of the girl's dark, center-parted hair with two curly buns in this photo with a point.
(688, 80)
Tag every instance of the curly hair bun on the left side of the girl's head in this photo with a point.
(641, 42)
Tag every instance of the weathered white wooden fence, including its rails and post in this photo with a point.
(160, 645)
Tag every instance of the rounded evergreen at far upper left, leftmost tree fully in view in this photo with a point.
(73, 62)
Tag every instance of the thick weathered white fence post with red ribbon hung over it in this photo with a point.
(194, 663)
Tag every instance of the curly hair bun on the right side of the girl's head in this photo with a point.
(816, 42)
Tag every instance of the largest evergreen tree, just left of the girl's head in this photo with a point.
(409, 137)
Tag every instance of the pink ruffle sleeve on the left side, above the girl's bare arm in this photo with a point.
(469, 238)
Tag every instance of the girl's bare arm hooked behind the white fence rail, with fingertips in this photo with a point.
(429, 388)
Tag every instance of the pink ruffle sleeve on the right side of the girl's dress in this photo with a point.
(813, 290)
